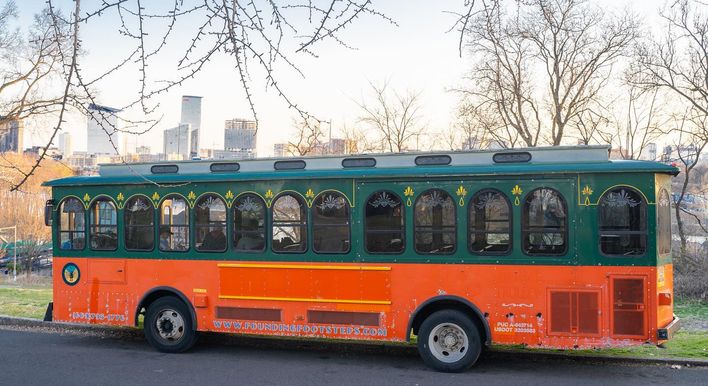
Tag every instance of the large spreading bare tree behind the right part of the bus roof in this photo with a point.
(574, 42)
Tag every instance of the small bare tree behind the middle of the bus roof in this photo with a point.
(394, 117)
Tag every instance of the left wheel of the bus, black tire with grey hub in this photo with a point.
(162, 319)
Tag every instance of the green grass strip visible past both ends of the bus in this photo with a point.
(688, 343)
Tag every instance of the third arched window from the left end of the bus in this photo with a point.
(139, 222)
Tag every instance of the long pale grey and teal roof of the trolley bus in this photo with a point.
(542, 160)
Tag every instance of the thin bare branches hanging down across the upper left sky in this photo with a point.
(260, 37)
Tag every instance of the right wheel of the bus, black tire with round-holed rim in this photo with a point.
(451, 323)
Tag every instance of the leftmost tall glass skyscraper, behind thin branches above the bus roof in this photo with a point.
(102, 130)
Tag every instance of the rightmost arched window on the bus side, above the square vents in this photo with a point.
(623, 223)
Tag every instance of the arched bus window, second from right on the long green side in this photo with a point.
(544, 223)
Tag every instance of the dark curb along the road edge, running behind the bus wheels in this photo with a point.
(346, 346)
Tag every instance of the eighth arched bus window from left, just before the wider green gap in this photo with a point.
(330, 223)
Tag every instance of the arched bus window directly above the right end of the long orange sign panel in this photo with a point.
(384, 225)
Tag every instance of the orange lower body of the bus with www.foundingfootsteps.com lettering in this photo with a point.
(540, 306)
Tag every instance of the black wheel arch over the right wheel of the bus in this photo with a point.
(449, 302)
